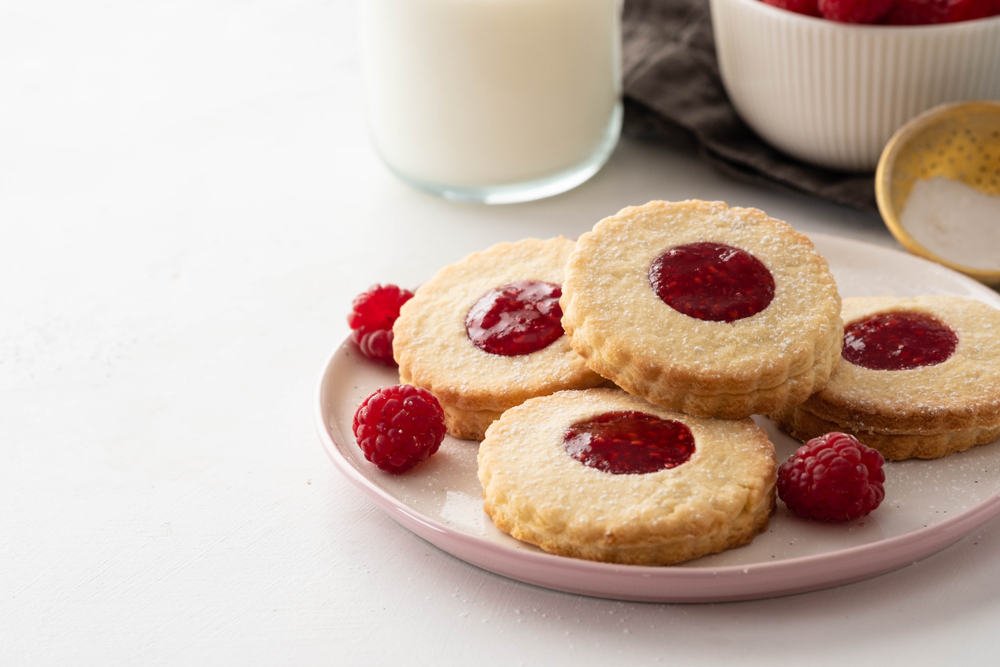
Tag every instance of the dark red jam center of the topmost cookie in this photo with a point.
(712, 281)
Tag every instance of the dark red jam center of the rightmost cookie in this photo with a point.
(898, 341)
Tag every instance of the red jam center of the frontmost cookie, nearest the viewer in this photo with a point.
(629, 443)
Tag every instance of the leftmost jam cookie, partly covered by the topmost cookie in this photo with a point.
(484, 334)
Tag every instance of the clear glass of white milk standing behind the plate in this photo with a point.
(493, 101)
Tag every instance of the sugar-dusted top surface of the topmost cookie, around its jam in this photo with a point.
(608, 298)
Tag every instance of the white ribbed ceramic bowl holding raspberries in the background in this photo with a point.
(832, 94)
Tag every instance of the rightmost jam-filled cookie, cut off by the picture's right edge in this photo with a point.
(920, 377)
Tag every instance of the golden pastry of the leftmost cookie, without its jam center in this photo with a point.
(432, 344)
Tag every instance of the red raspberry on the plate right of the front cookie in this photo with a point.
(832, 478)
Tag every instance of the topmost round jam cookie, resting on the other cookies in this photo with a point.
(702, 308)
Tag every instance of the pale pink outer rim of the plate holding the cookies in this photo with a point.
(673, 584)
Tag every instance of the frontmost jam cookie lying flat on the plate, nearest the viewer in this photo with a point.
(603, 475)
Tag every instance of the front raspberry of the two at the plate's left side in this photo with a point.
(397, 427)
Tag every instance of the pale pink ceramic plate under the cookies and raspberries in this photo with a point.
(929, 504)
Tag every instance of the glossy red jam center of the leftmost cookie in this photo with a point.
(518, 318)
